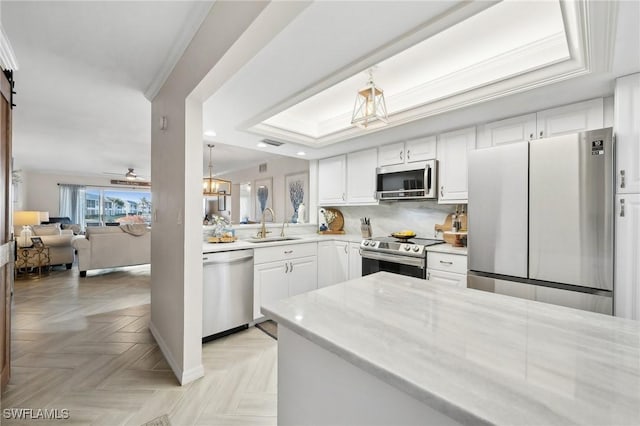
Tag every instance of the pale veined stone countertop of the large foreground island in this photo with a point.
(477, 356)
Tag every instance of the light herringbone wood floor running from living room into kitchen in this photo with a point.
(83, 344)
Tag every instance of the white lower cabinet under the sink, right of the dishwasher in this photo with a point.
(295, 272)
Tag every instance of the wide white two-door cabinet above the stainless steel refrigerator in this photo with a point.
(573, 118)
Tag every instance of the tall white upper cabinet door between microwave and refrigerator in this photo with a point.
(452, 164)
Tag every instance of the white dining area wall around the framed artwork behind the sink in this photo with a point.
(277, 169)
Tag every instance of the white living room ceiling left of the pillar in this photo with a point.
(84, 70)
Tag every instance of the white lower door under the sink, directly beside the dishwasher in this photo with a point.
(270, 285)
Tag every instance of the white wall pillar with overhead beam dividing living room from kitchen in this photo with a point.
(229, 36)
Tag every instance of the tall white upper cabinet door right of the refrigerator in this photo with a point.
(627, 131)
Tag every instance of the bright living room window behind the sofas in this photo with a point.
(116, 206)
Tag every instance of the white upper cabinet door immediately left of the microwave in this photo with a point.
(361, 177)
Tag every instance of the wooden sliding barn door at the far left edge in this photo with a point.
(6, 243)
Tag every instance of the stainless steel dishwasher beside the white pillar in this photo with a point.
(227, 292)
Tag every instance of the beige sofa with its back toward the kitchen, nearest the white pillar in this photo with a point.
(113, 246)
